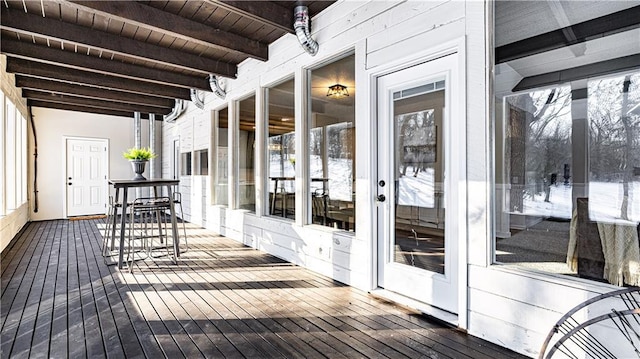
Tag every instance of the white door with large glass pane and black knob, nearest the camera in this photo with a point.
(420, 164)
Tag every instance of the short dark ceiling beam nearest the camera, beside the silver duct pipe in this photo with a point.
(266, 12)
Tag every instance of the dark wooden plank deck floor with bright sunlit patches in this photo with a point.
(222, 300)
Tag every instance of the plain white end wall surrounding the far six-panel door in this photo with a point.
(52, 127)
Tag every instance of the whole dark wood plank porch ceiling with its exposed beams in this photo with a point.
(120, 57)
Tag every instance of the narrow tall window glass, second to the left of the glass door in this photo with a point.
(281, 151)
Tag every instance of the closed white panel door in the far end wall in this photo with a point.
(86, 180)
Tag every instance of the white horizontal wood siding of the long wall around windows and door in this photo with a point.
(514, 308)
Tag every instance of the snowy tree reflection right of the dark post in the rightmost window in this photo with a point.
(614, 145)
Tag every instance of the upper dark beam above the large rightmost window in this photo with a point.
(588, 30)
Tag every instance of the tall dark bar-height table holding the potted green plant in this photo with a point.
(155, 183)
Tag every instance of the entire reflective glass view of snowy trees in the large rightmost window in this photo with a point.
(568, 188)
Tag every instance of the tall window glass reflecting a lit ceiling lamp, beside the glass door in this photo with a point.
(332, 146)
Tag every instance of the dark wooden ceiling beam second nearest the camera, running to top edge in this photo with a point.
(174, 25)
